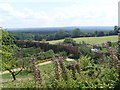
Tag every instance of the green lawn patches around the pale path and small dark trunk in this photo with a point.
(25, 80)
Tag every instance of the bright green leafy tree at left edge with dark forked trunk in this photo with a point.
(8, 59)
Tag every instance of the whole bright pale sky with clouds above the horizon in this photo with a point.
(58, 13)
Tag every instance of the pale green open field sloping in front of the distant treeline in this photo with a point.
(91, 40)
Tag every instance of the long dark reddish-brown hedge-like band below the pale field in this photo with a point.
(46, 46)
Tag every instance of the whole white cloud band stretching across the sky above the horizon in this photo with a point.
(72, 15)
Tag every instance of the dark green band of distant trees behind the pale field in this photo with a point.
(61, 34)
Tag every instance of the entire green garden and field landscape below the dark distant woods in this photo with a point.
(60, 63)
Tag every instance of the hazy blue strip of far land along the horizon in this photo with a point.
(69, 28)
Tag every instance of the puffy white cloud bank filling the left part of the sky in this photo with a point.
(25, 18)
